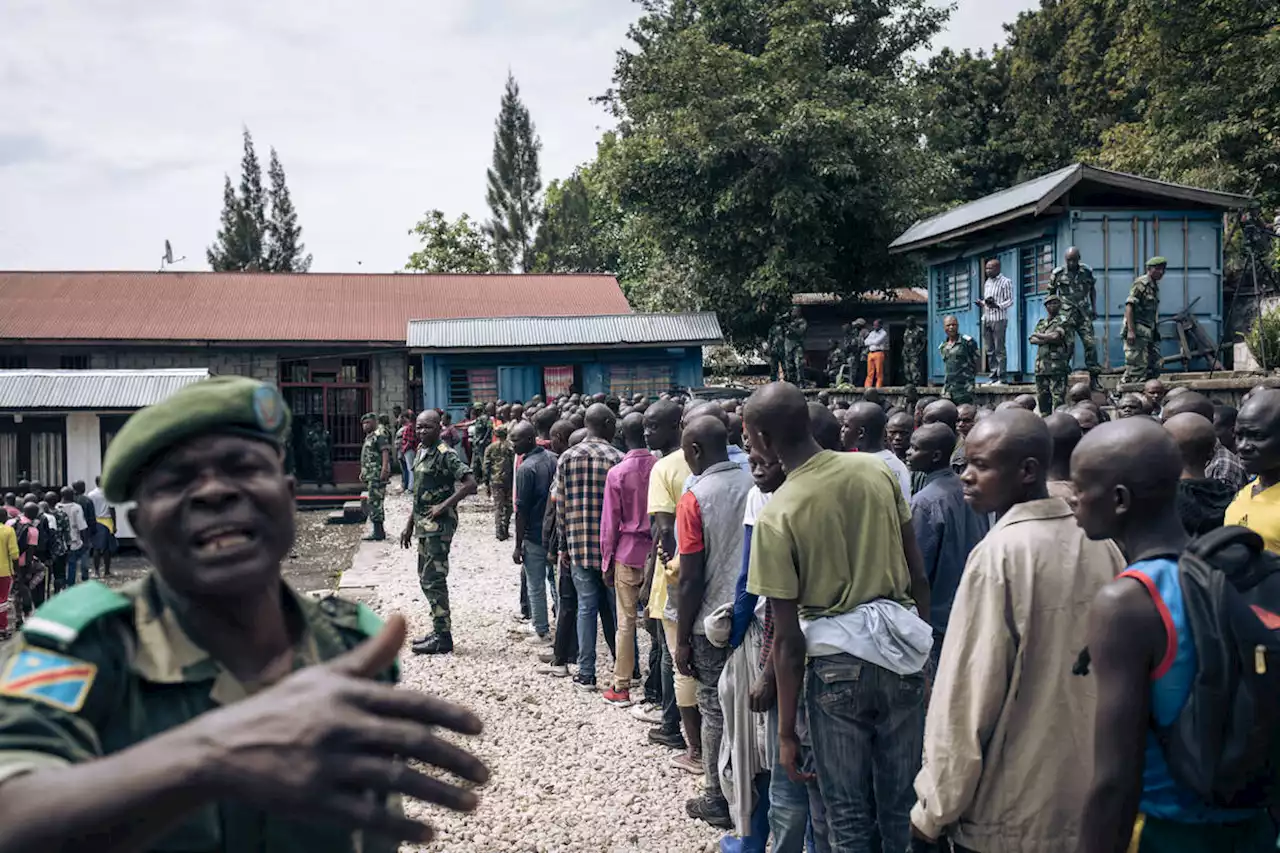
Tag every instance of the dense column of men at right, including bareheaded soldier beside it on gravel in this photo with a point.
(867, 623)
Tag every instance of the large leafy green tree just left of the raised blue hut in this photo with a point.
(772, 147)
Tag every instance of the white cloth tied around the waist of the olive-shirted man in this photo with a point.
(881, 632)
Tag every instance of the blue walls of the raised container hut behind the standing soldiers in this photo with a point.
(1117, 244)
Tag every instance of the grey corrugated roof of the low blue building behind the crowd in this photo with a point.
(565, 331)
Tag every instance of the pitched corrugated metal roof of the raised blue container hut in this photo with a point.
(1034, 197)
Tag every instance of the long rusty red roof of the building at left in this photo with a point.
(280, 307)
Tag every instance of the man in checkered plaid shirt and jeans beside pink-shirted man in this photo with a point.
(579, 491)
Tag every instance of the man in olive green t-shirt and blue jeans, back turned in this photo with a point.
(838, 536)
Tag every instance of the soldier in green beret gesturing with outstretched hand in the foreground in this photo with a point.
(208, 706)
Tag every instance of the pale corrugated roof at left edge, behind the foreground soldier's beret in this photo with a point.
(104, 390)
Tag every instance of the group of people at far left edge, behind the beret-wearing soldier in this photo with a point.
(52, 539)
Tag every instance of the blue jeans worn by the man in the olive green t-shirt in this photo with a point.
(868, 733)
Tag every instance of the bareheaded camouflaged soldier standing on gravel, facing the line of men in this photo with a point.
(441, 482)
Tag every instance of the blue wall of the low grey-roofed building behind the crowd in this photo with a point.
(520, 373)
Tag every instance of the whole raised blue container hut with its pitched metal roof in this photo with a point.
(1117, 221)
